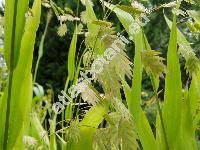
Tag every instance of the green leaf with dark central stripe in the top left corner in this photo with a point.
(14, 21)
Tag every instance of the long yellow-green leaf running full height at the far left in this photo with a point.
(21, 90)
